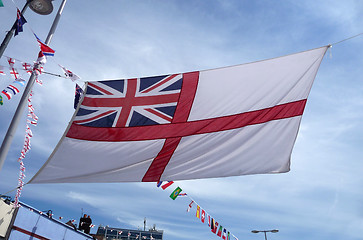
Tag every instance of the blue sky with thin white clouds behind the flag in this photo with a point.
(320, 198)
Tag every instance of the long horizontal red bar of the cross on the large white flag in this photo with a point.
(182, 129)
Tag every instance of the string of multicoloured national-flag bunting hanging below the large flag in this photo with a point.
(201, 213)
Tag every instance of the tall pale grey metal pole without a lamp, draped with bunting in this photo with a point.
(23, 101)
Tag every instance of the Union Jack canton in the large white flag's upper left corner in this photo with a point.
(130, 102)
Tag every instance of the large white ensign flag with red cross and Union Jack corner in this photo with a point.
(229, 121)
